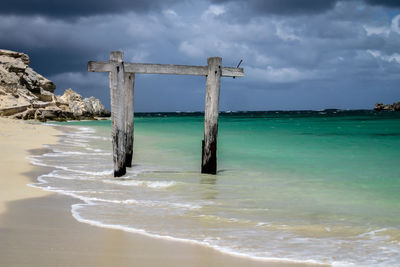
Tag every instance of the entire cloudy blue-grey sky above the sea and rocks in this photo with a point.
(297, 55)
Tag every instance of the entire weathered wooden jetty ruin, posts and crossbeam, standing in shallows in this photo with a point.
(122, 79)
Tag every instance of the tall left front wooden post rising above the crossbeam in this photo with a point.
(117, 92)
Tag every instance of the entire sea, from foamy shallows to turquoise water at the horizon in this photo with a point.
(302, 186)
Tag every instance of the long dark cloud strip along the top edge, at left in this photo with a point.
(68, 8)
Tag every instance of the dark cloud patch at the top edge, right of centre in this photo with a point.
(283, 7)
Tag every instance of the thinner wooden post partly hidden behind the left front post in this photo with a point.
(129, 116)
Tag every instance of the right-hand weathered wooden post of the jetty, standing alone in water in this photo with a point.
(209, 144)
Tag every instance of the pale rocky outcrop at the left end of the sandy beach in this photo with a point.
(25, 94)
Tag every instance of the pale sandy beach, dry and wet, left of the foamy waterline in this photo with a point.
(37, 228)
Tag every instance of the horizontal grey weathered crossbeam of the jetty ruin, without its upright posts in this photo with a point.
(146, 68)
